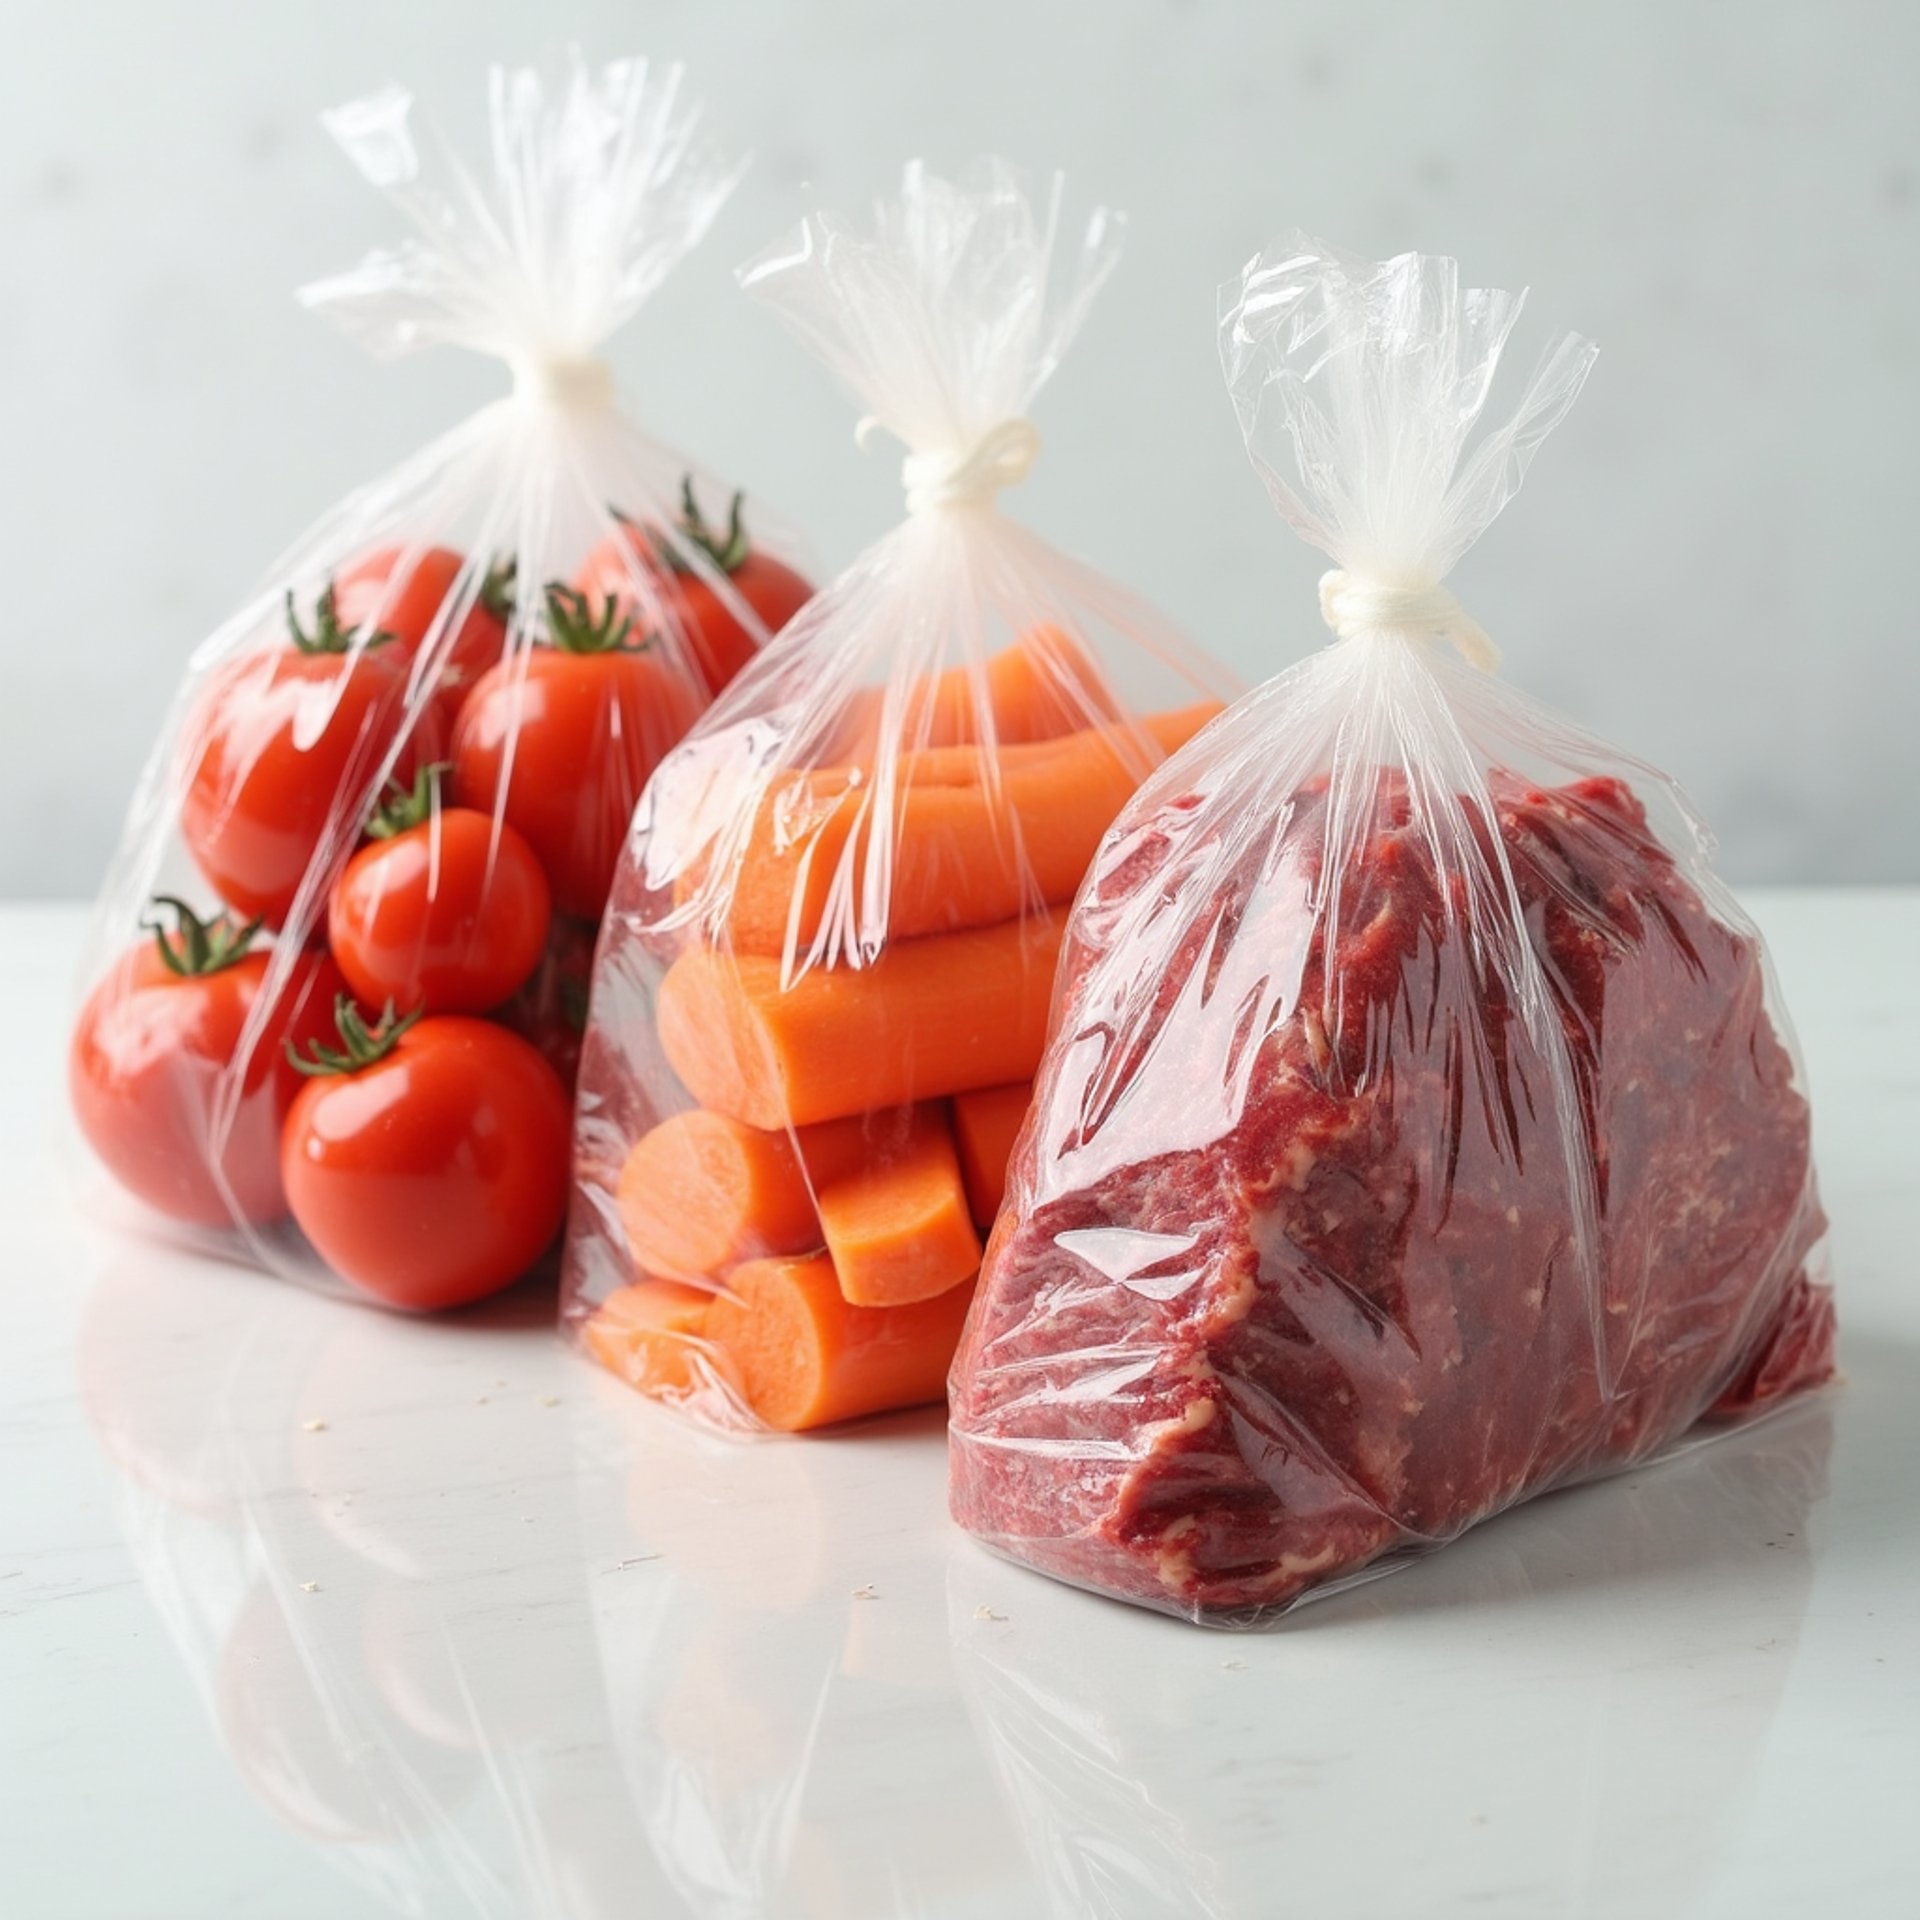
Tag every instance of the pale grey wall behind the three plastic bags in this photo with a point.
(1714, 560)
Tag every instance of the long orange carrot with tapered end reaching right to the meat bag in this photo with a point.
(978, 836)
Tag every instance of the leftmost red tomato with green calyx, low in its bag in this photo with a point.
(155, 1047)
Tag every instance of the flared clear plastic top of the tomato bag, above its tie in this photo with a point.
(602, 183)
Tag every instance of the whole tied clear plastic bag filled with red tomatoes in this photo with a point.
(341, 963)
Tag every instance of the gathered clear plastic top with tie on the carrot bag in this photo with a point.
(946, 318)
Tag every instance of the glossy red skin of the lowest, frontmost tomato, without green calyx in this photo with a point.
(439, 1174)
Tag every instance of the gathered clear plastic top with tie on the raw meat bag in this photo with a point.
(1360, 391)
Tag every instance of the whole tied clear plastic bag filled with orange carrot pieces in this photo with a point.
(827, 969)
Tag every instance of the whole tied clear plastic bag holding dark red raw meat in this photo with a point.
(1418, 1126)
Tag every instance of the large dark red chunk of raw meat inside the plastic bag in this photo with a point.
(1314, 1259)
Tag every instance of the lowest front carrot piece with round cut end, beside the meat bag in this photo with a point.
(804, 1356)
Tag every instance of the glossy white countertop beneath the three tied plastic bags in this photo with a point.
(310, 1612)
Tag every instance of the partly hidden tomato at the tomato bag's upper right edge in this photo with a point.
(721, 644)
